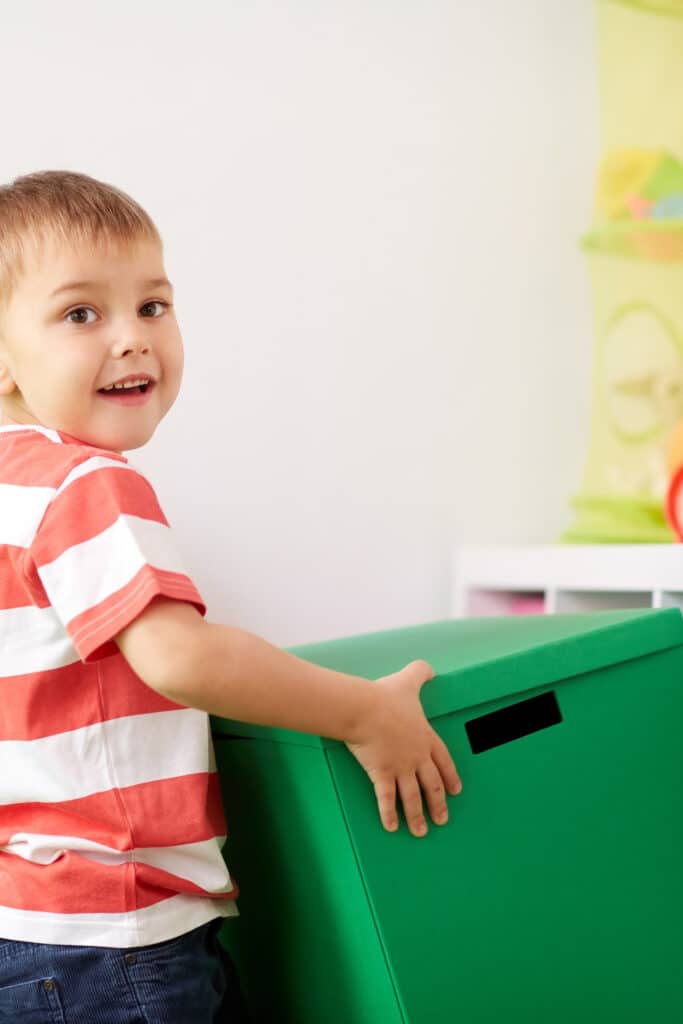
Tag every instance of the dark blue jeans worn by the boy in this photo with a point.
(187, 980)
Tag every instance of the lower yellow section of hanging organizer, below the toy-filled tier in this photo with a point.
(637, 400)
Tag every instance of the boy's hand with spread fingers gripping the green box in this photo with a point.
(400, 750)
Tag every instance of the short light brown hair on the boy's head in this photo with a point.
(66, 206)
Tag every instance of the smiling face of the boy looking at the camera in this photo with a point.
(57, 352)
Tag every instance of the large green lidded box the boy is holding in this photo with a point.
(556, 892)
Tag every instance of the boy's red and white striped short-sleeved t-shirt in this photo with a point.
(111, 817)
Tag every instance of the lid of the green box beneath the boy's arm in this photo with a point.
(478, 661)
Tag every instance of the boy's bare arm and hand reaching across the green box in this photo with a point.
(234, 674)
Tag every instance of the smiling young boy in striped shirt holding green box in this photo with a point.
(112, 882)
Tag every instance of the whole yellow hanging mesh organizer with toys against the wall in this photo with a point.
(635, 255)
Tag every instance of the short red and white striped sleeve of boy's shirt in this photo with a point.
(104, 550)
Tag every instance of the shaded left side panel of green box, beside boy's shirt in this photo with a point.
(306, 943)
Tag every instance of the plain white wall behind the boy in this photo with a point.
(370, 210)
